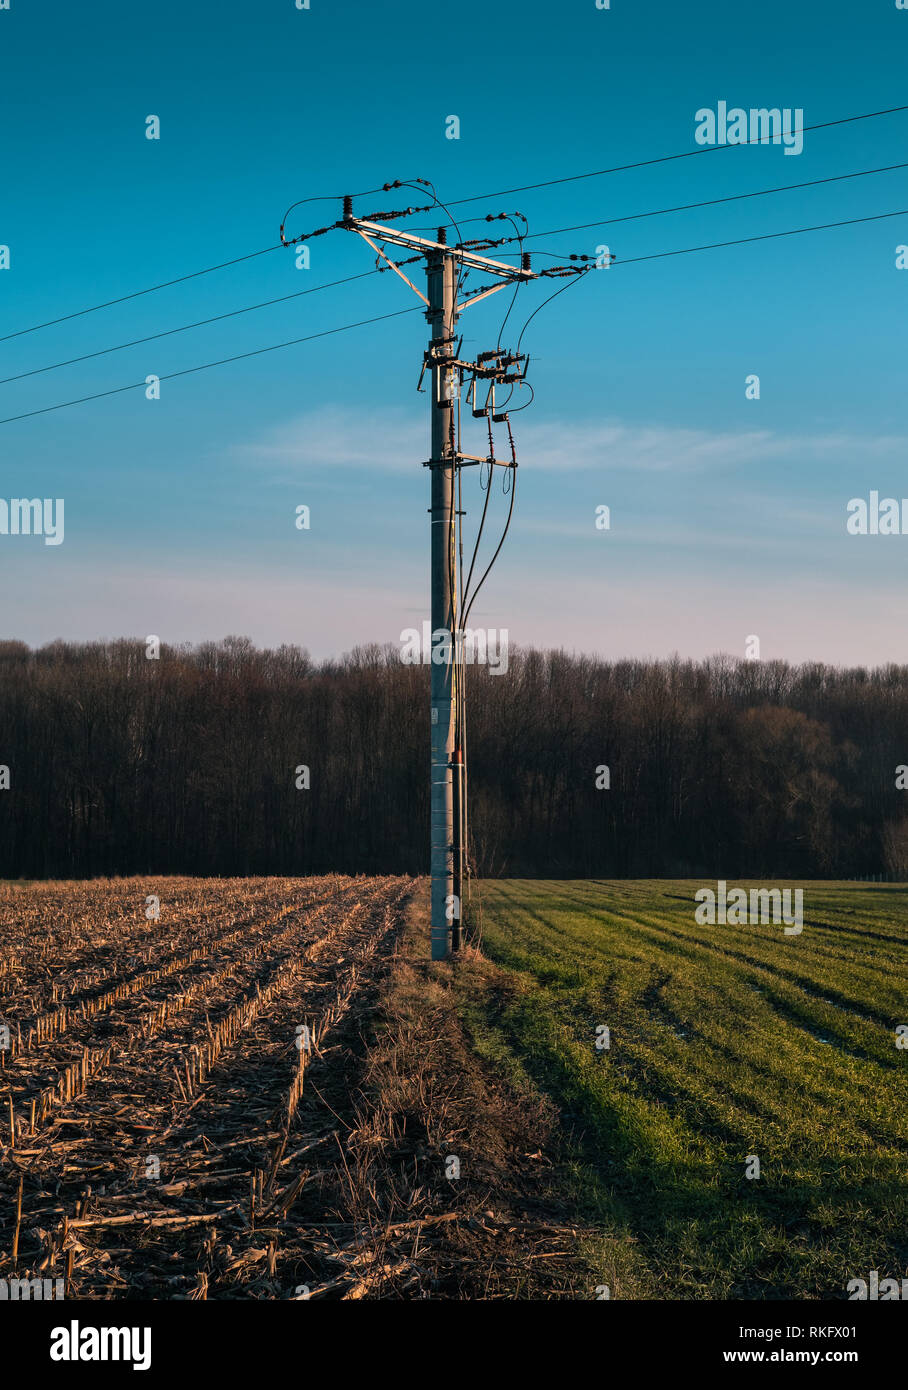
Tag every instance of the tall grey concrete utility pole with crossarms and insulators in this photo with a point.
(446, 269)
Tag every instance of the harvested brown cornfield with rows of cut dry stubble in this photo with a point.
(161, 1043)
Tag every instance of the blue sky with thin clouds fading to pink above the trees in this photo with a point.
(728, 515)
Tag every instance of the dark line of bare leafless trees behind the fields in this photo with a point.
(579, 767)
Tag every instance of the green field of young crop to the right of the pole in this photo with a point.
(725, 1042)
